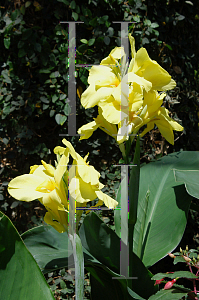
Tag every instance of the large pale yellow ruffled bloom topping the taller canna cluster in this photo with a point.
(113, 78)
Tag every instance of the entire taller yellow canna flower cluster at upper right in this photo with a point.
(128, 96)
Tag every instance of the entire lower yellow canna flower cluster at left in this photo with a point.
(51, 185)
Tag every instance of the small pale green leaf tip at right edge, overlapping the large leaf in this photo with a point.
(190, 179)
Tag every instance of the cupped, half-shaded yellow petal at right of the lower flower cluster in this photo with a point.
(81, 191)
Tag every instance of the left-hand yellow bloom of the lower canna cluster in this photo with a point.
(45, 184)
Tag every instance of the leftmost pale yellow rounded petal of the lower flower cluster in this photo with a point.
(23, 187)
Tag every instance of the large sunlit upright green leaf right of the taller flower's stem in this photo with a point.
(162, 207)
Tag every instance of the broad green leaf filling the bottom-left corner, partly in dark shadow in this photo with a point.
(20, 275)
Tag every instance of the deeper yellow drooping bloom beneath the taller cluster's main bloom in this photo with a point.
(151, 113)
